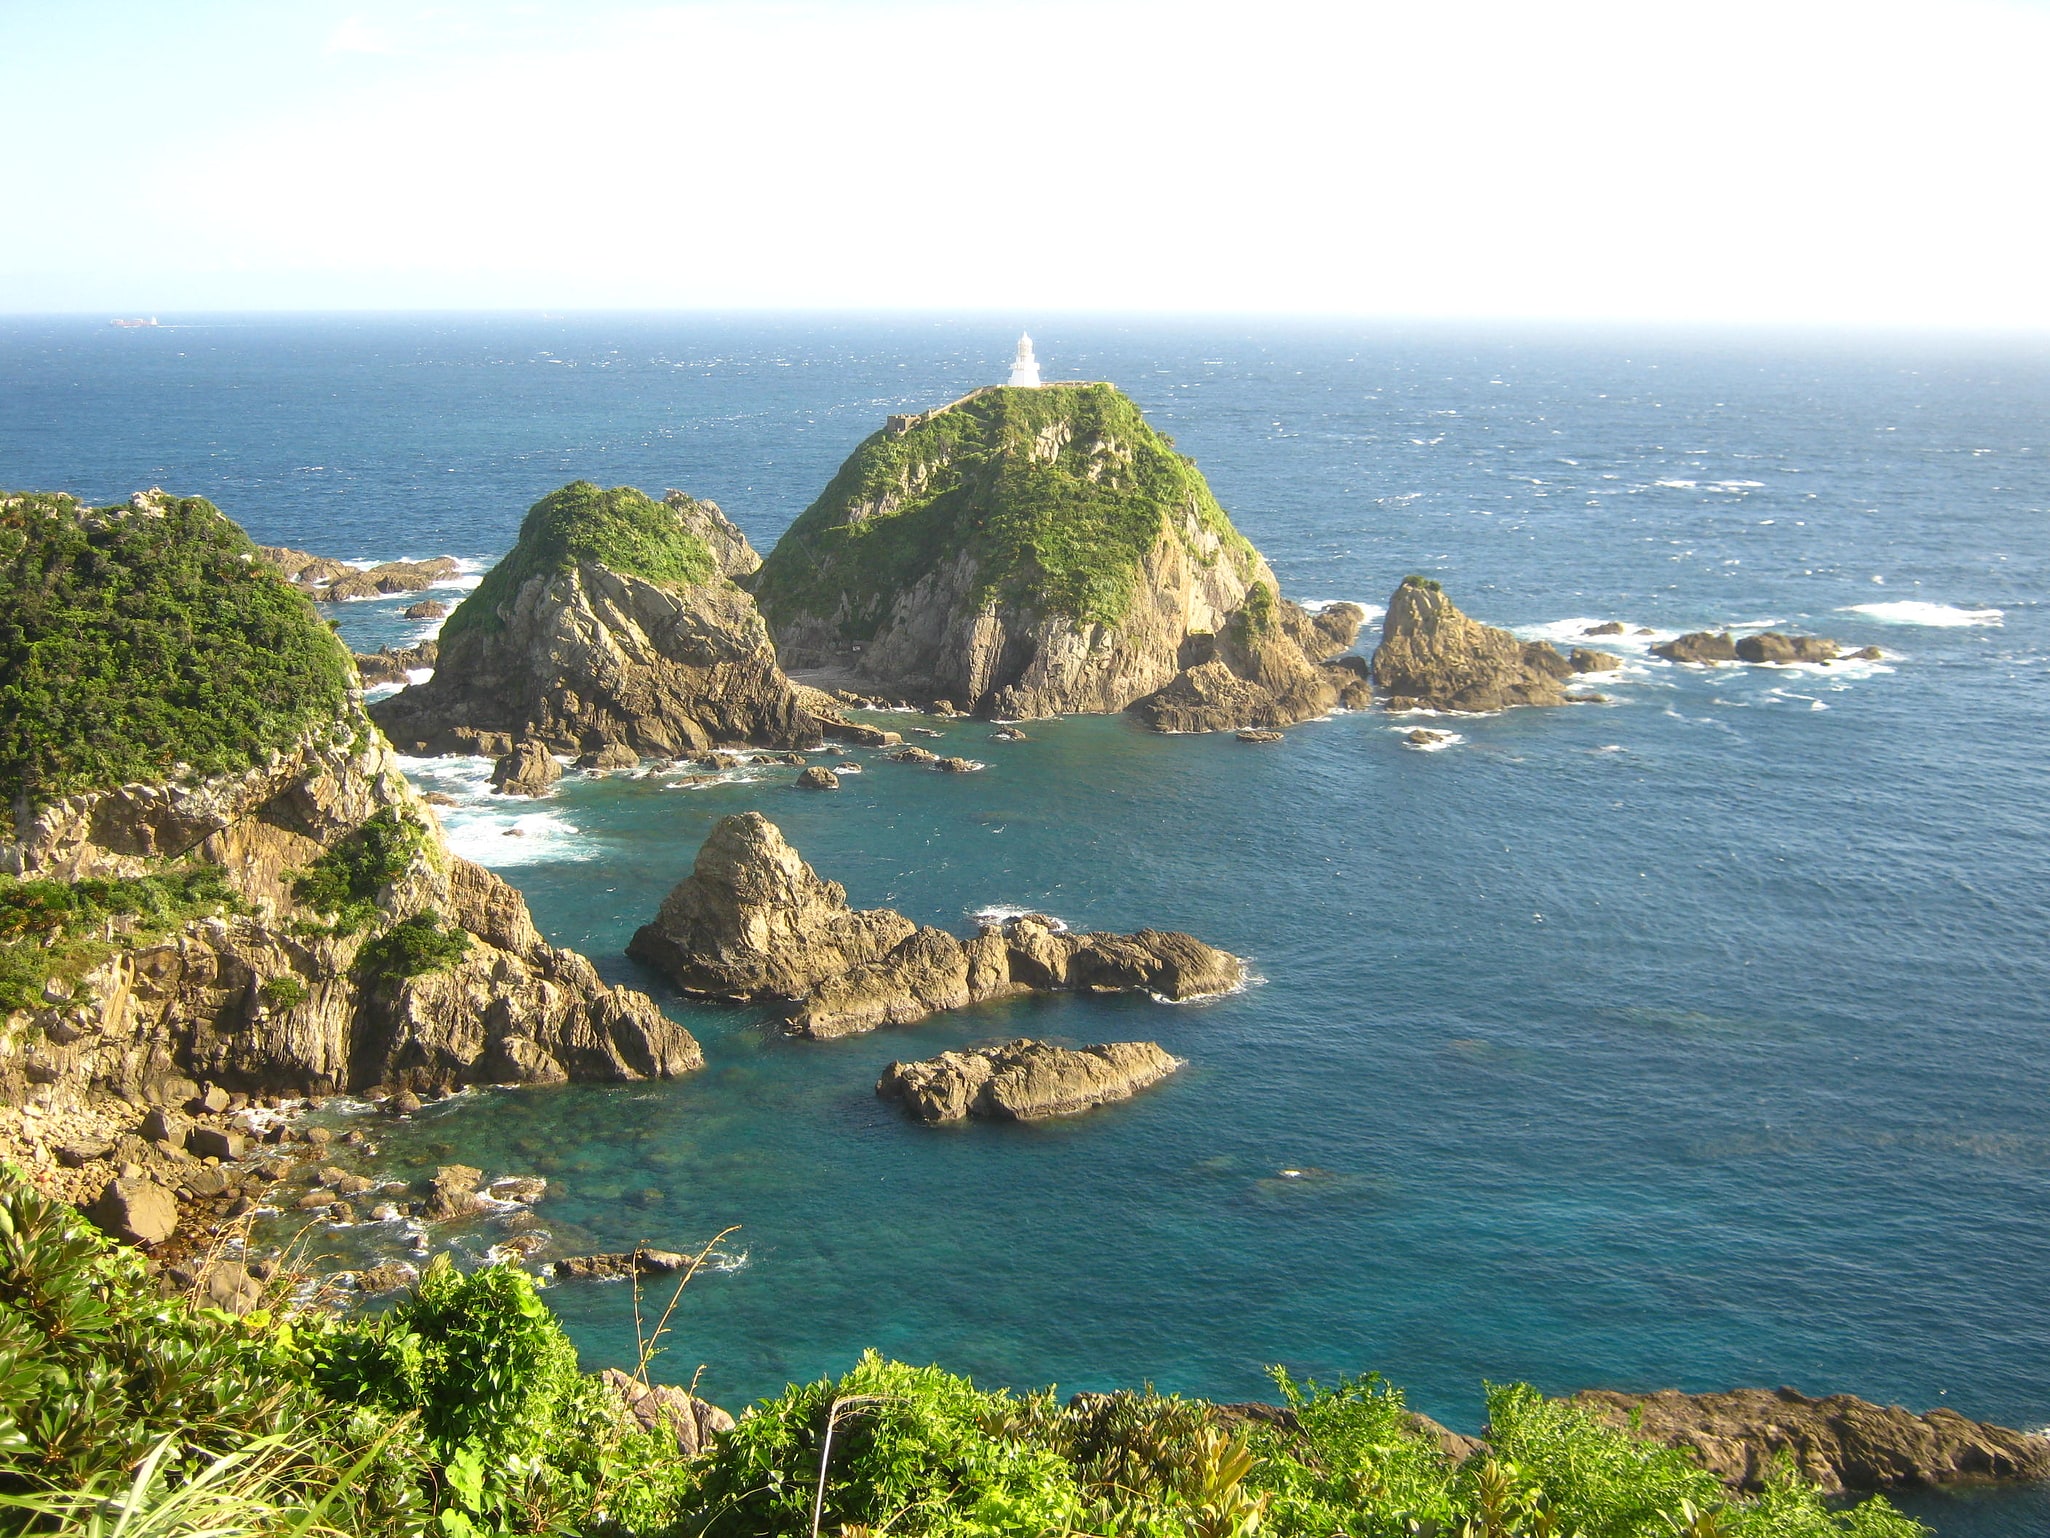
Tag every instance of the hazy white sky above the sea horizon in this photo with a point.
(1723, 161)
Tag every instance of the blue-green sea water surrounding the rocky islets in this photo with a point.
(1688, 1041)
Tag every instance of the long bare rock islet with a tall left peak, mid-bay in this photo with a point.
(755, 924)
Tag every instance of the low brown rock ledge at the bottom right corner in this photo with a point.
(1840, 1443)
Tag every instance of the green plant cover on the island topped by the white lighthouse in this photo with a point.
(1059, 495)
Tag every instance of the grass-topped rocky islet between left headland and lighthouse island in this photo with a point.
(610, 624)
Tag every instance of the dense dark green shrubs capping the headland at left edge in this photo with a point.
(149, 645)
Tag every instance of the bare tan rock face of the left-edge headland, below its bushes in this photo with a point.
(274, 996)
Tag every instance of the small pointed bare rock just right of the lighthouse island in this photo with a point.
(1436, 657)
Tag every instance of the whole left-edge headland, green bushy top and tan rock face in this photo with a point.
(214, 868)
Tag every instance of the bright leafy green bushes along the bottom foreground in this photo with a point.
(462, 1412)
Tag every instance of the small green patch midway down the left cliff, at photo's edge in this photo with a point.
(63, 930)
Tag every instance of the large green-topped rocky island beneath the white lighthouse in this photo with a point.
(1036, 553)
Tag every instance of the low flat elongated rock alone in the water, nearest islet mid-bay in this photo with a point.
(1024, 1082)
